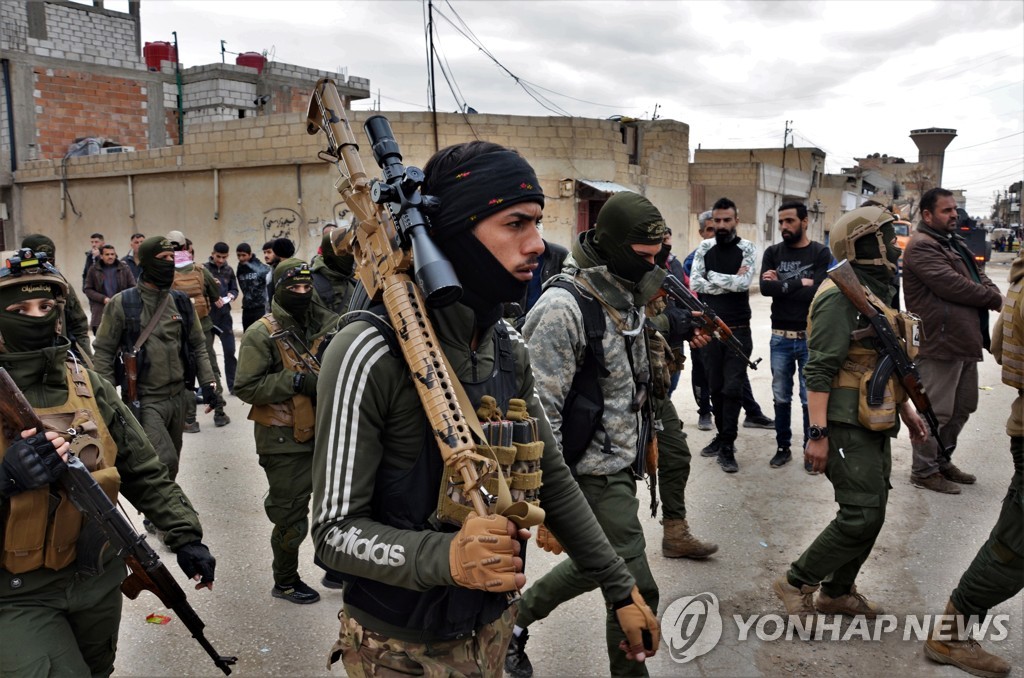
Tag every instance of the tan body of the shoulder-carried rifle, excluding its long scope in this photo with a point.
(385, 263)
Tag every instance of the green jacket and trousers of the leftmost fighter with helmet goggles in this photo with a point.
(55, 622)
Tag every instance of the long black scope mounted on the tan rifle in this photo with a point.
(401, 192)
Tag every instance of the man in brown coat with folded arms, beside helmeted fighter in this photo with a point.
(944, 286)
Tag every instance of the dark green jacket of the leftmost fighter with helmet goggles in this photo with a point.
(42, 377)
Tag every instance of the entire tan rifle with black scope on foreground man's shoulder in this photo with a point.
(390, 244)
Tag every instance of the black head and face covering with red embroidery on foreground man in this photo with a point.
(470, 193)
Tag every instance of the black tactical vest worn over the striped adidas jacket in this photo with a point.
(408, 499)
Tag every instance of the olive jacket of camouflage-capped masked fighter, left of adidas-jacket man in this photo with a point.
(262, 377)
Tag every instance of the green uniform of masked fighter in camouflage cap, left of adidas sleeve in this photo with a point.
(284, 444)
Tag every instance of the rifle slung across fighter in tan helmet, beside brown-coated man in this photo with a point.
(893, 358)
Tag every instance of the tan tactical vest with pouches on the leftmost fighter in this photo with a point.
(40, 531)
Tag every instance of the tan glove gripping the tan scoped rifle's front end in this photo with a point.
(482, 556)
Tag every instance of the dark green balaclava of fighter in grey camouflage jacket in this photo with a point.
(628, 219)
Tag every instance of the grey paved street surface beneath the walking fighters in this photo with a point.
(762, 519)
